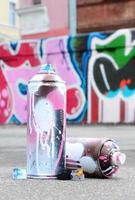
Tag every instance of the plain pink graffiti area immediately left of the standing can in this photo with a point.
(14, 77)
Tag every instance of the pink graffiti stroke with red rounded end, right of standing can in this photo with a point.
(58, 56)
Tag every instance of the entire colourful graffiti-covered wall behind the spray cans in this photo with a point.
(98, 68)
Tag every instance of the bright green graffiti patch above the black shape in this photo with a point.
(116, 49)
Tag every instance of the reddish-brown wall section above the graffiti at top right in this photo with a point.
(104, 15)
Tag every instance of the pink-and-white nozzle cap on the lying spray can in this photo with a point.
(118, 158)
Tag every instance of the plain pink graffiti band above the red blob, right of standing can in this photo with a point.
(58, 56)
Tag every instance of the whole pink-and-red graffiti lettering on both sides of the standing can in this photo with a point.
(22, 61)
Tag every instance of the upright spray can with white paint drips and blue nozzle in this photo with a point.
(46, 124)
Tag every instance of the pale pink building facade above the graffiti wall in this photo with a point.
(58, 18)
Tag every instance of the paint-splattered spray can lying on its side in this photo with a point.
(98, 157)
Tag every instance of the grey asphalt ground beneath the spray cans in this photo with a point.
(13, 154)
